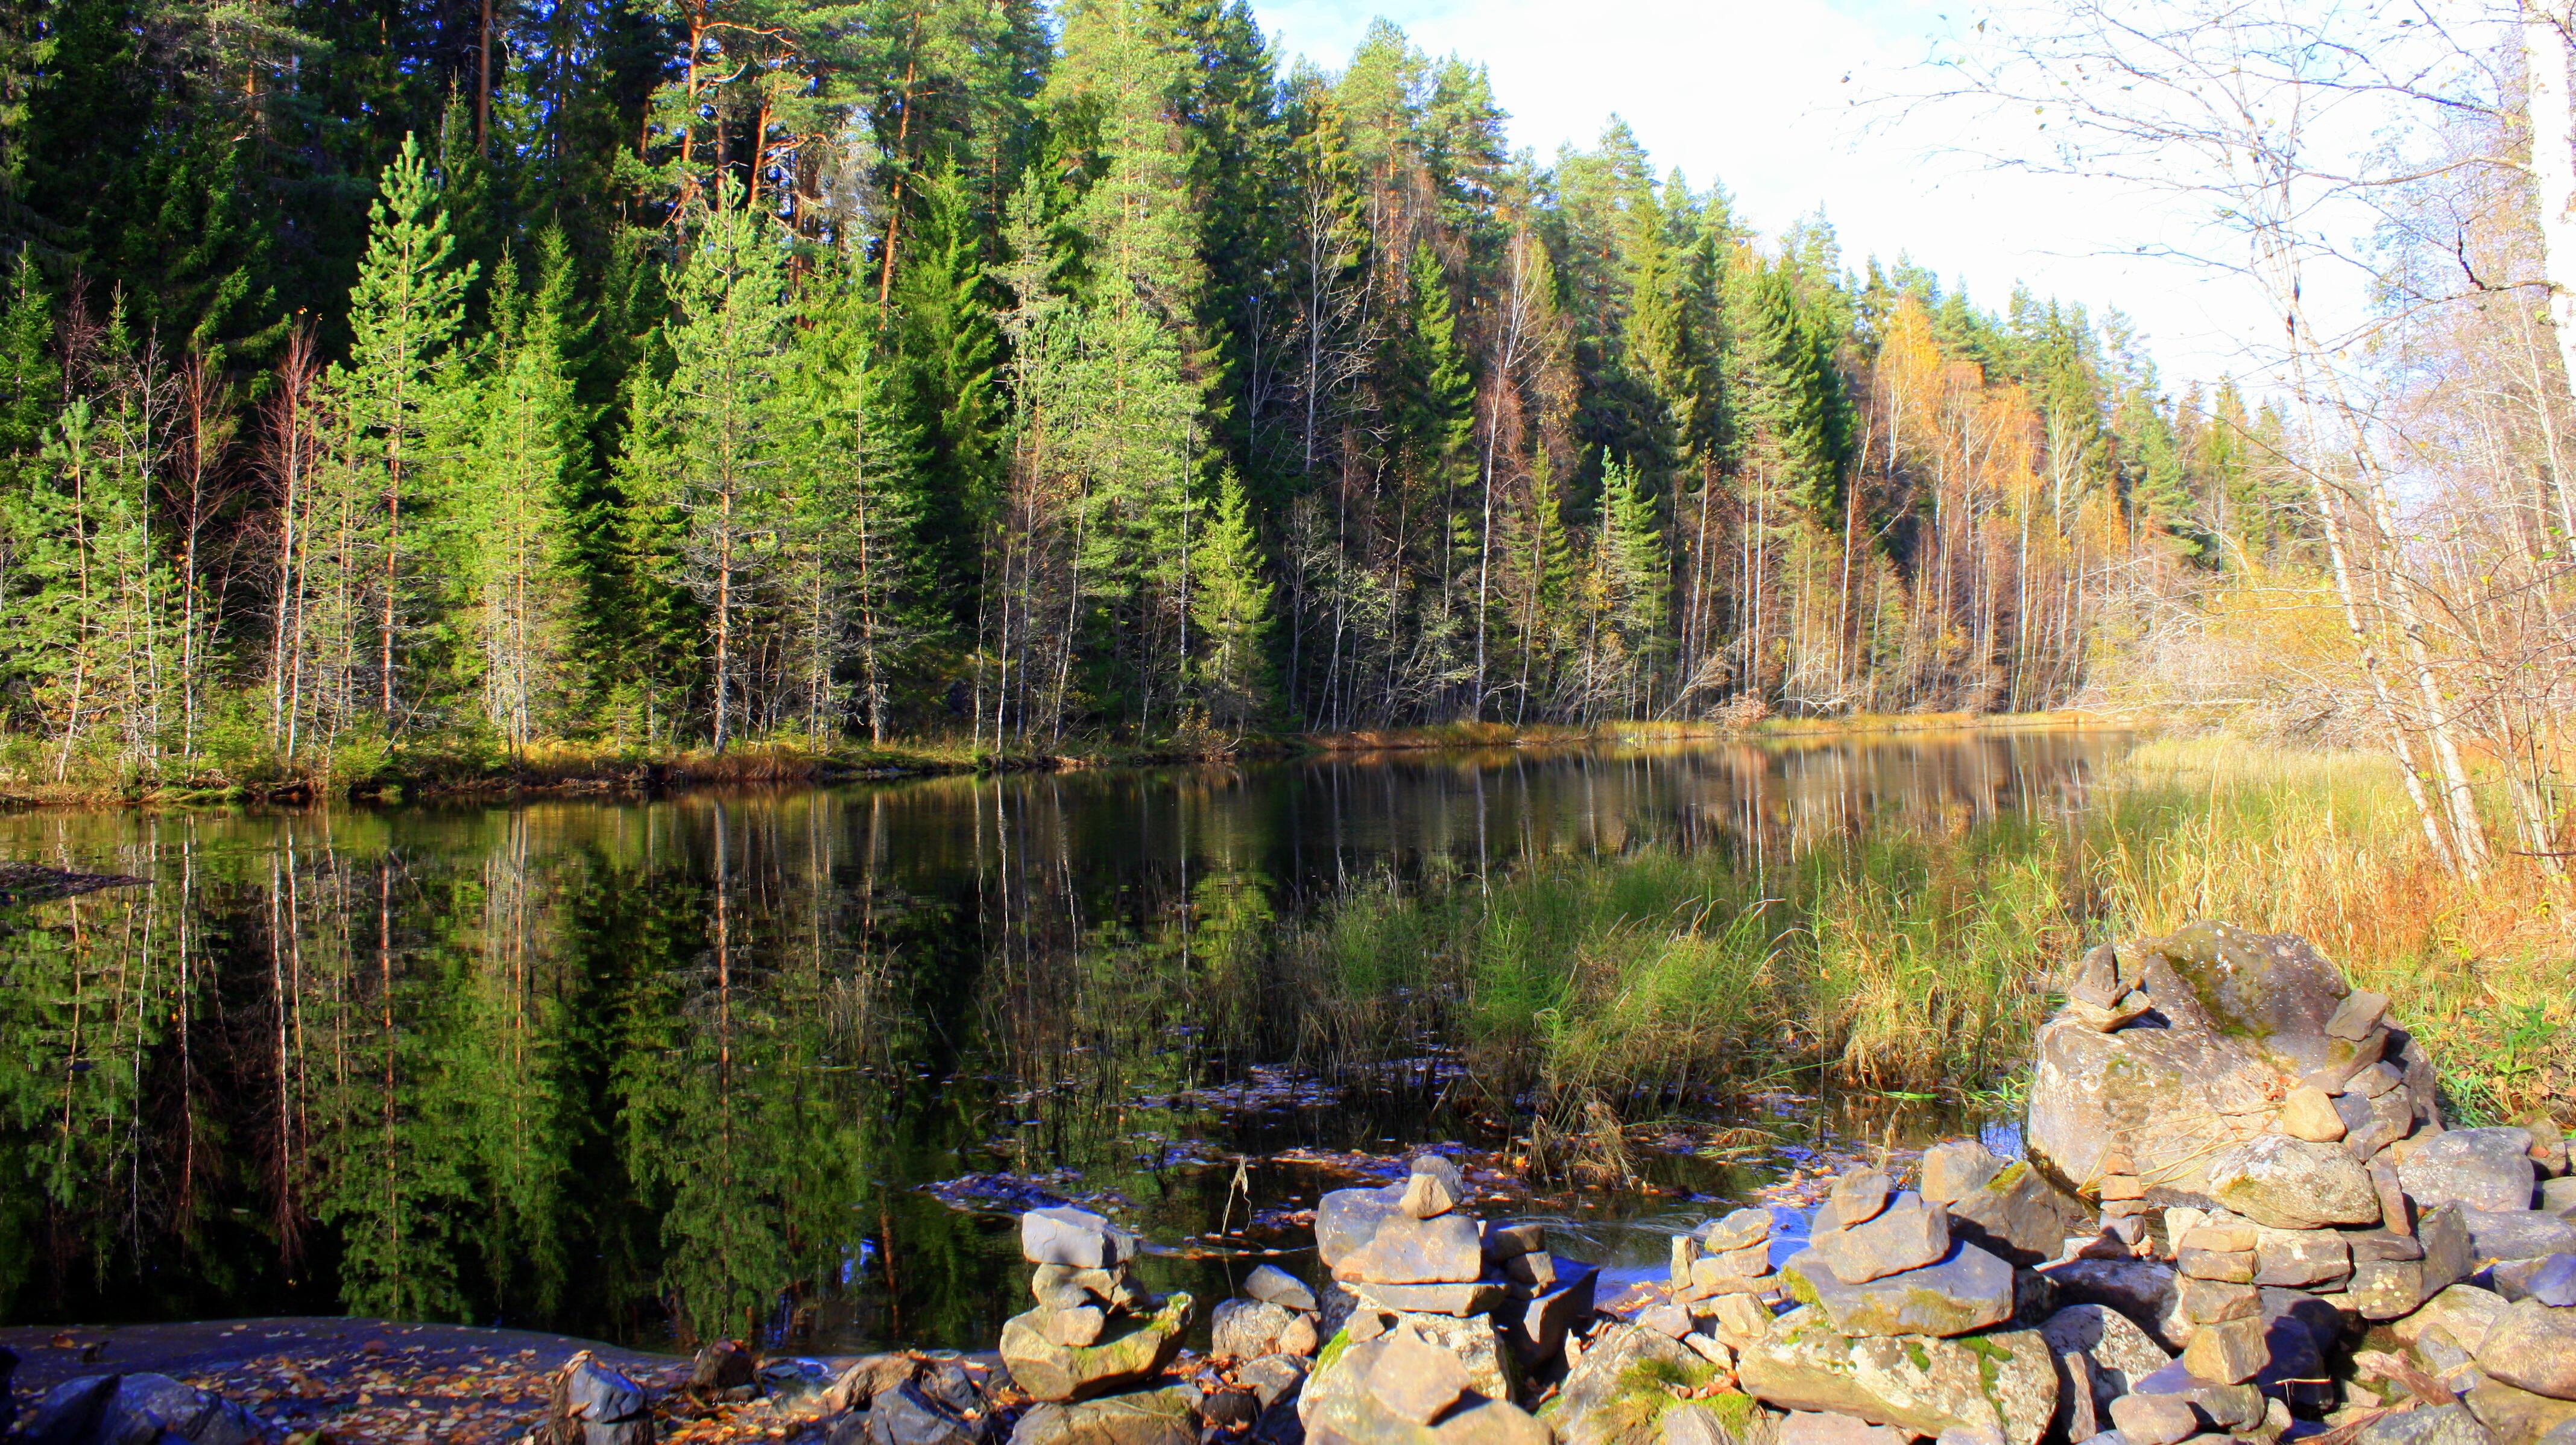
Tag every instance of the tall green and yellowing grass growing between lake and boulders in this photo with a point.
(1920, 957)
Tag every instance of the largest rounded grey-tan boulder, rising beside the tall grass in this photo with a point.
(2235, 1016)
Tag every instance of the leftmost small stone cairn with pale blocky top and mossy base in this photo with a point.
(1096, 1346)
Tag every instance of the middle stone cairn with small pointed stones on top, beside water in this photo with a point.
(1434, 1317)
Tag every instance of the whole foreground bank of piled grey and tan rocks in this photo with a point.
(2240, 1217)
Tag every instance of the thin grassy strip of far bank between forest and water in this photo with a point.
(571, 774)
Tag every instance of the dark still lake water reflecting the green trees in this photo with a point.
(782, 1065)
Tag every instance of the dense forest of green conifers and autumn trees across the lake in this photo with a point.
(491, 372)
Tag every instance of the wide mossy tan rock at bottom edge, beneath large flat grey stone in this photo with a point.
(2003, 1382)
